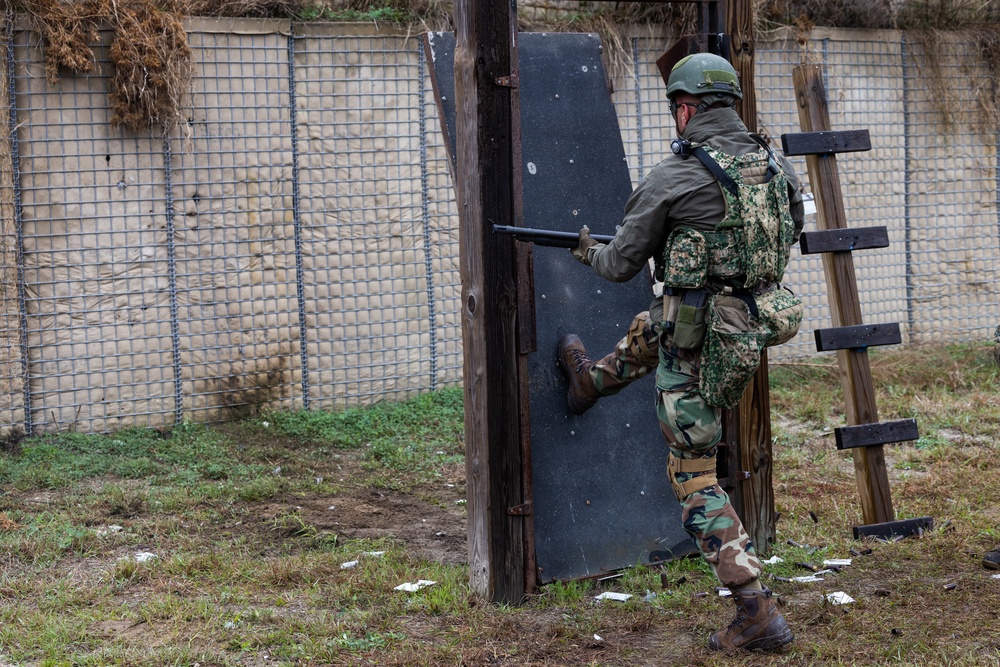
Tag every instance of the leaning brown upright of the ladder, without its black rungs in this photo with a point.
(845, 308)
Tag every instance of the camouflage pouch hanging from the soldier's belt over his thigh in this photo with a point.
(731, 354)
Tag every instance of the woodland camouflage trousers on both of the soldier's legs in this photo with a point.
(693, 430)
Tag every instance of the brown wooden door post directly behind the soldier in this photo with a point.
(748, 428)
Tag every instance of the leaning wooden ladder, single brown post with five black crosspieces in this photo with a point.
(864, 435)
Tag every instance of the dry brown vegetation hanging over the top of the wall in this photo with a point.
(153, 66)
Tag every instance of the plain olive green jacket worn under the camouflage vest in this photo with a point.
(681, 192)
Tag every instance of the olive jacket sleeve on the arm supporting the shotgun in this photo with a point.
(638, 237)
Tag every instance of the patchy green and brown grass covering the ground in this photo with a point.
(280, 540)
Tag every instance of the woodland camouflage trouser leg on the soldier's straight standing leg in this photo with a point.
(693, 429)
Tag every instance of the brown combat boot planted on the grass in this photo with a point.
(758, 624)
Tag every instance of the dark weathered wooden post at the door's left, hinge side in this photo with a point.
(485, 54)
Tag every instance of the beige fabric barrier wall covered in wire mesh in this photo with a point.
(295, 243)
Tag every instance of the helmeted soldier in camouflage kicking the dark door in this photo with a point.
(719, 228)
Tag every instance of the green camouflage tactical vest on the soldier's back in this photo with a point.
(758, 219)
